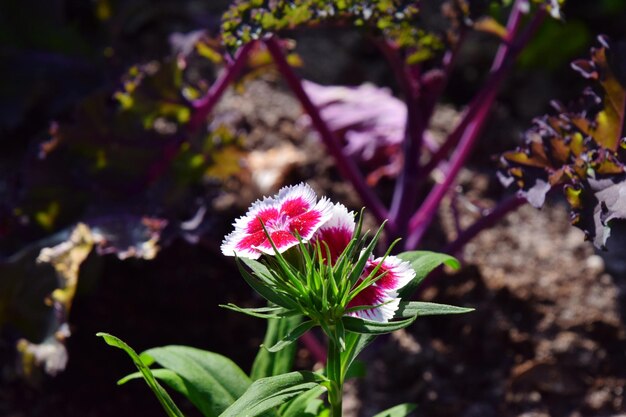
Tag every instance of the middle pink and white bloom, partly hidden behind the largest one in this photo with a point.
(336, 233)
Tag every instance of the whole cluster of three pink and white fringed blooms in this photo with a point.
(294, 218)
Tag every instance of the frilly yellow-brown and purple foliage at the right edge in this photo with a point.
(580, 149)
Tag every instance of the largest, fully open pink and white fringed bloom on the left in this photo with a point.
(293, 212)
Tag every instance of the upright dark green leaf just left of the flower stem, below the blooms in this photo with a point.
(271, 364)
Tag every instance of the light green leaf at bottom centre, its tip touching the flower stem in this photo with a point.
(267, 393)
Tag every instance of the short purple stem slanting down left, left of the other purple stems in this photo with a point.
(203, 106)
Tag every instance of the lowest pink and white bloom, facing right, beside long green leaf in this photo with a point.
(382, 295)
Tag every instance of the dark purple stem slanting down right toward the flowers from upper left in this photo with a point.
(345, 165)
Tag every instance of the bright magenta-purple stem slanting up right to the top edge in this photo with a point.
(473, 122)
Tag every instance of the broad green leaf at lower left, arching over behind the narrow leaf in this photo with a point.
(214, 382)
